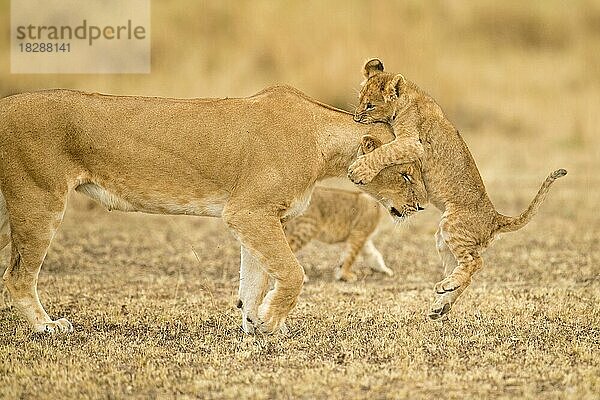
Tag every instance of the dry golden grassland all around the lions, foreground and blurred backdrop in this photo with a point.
(153, 321)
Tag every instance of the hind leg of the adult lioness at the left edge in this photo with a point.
(33, 226)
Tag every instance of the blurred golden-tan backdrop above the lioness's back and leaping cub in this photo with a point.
(507, 73)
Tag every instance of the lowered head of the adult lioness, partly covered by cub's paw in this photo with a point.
(399, 188)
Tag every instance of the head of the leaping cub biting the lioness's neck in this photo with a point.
(383, 96)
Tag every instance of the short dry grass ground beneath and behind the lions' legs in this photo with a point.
(153, 321)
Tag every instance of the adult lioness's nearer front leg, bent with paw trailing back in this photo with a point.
(261, 234)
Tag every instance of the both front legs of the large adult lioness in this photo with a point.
(264, 242)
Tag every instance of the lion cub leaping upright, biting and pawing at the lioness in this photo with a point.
(469, 221)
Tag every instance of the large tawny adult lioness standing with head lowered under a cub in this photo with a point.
(252, 161)
